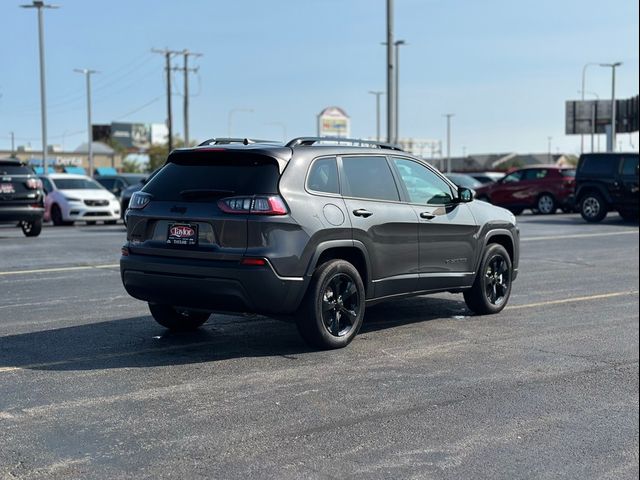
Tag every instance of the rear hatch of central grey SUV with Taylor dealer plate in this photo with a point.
(200, 203)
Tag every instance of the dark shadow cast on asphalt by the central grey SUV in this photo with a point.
(138, 342)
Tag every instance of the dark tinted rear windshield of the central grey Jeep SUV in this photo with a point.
(201, 177)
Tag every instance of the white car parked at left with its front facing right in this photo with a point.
(72, 198)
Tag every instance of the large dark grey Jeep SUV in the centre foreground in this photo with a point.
(313, 230)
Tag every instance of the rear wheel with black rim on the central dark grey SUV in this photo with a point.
(332, 311)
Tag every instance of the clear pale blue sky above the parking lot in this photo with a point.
(504, 67)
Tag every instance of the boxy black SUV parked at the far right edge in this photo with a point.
(607, 181)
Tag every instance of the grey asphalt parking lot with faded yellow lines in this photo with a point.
(92, 387)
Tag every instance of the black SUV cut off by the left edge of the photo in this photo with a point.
(21, 197)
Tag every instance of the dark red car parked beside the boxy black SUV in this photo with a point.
(543, 188)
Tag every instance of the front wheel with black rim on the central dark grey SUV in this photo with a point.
(492, 287)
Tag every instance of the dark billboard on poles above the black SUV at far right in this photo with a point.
(594, 116)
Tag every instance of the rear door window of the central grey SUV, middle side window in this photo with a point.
(369, 177)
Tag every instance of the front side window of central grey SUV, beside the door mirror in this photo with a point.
(423, 186)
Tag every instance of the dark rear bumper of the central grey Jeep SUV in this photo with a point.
(210, 285)
